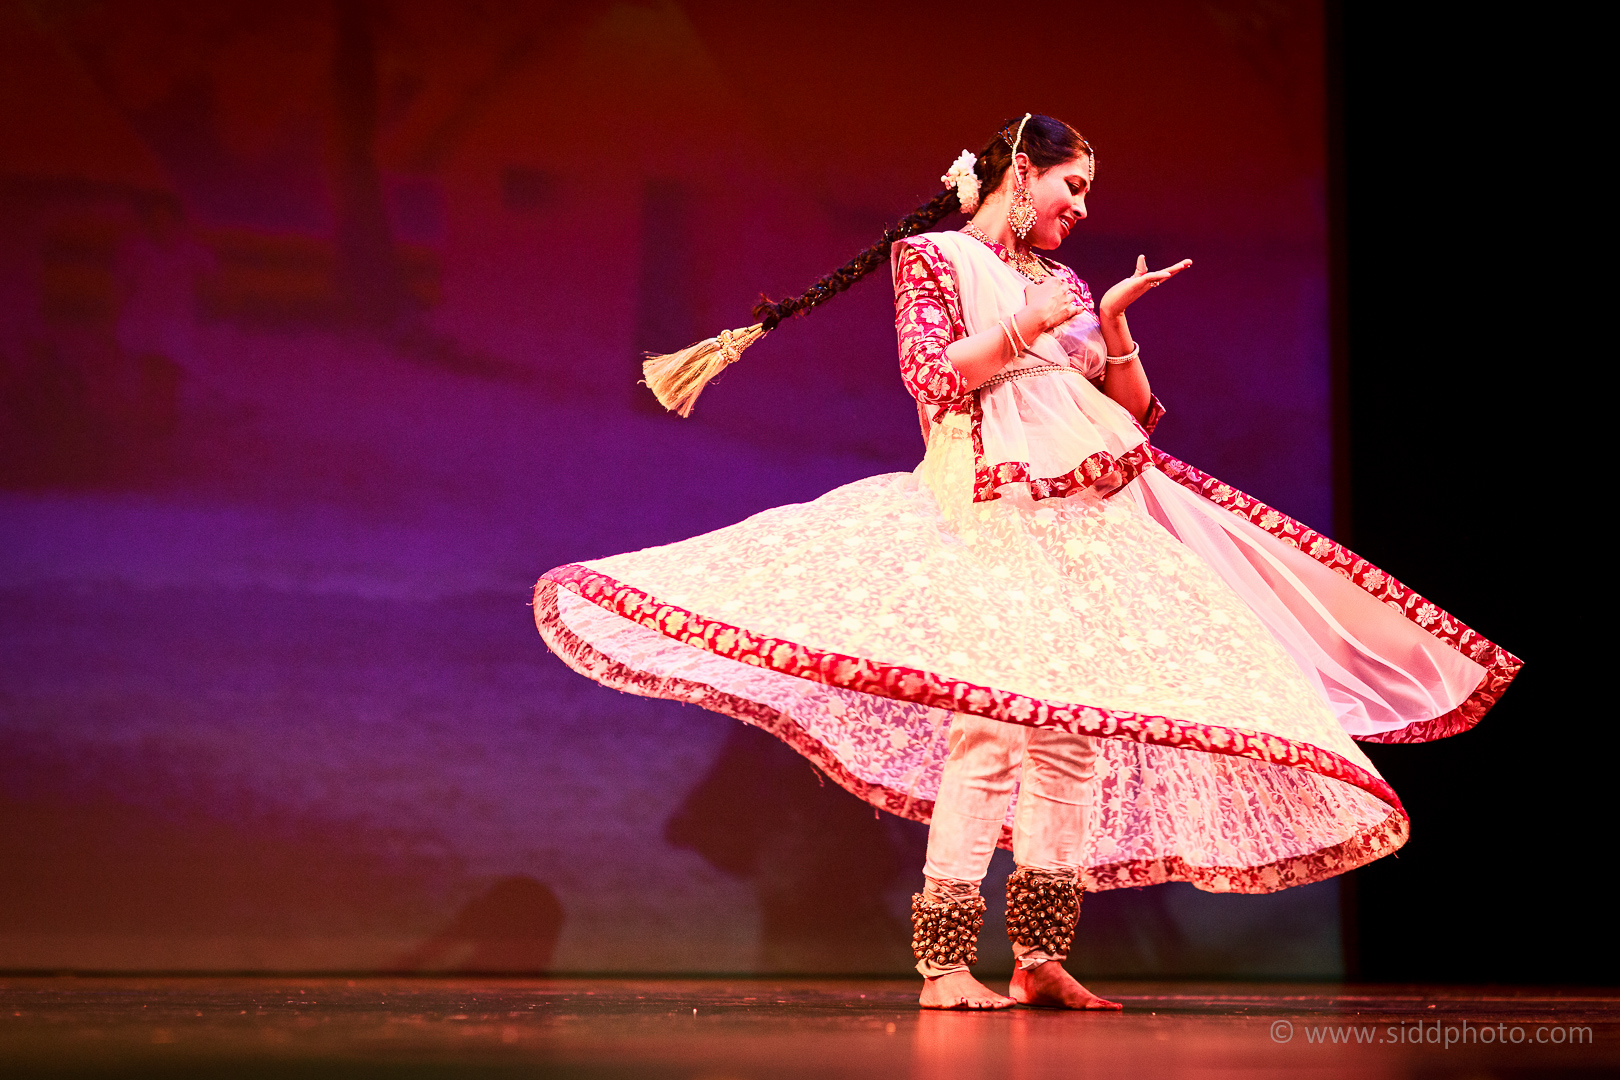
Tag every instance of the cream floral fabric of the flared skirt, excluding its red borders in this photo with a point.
(1068, 600)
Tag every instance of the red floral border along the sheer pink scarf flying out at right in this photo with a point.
(1501, 666)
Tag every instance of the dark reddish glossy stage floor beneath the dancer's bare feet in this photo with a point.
(770, 1027)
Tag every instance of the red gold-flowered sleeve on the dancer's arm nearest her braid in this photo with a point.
(927, 318)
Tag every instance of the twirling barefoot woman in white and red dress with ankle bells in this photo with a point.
(1051, 636)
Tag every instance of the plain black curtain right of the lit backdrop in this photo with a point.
(1467, 389)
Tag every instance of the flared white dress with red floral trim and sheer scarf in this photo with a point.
(1047, 566)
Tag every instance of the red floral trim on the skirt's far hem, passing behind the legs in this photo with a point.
(1358, 851)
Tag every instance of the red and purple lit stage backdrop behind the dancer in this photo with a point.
(320, 333)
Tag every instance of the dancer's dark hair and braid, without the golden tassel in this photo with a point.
(1047, 143)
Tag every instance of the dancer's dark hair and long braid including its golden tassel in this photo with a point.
(676, 380)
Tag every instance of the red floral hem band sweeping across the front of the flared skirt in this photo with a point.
(924, 687)
